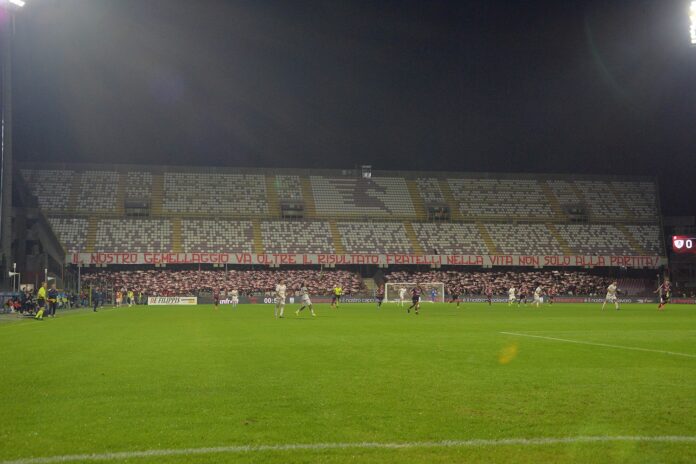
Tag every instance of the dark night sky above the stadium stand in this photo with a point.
(523, 85)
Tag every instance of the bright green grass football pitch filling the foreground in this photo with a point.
(187, 378)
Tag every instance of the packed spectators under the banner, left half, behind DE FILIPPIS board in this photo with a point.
(190, 283)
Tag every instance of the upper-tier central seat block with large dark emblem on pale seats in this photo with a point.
(349, 196)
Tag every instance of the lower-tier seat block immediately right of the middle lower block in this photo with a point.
(444, 238)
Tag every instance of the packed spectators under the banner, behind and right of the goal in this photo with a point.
(561, 282)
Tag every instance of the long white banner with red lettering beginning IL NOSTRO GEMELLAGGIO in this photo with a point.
(285, 259)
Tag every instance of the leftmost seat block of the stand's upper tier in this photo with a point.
(51, 187)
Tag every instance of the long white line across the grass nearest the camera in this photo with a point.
(475, 443)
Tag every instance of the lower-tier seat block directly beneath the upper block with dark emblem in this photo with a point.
(376, 237)
